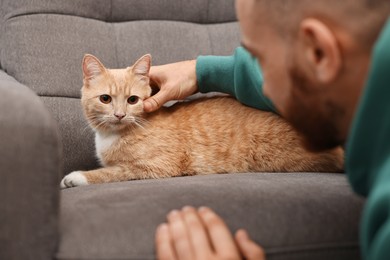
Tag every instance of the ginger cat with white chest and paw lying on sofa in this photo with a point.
(215, 135)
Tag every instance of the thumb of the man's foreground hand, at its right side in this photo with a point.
(249, 249)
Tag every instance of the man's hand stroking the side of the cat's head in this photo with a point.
(176, 81)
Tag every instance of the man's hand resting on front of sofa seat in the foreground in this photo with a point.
(202, 234)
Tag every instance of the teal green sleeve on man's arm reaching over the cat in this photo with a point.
(238, 75)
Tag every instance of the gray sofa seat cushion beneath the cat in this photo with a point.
(294, 216)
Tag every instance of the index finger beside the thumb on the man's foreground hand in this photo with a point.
(219, 234)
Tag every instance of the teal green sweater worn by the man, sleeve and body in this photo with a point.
(368, 147)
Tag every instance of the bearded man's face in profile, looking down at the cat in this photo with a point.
(302, 102)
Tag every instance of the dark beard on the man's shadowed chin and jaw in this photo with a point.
(313, 116)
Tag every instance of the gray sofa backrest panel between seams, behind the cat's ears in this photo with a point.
(51, 62)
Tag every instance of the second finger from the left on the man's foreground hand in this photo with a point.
(180, 237)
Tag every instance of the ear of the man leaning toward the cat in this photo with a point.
(321, 50)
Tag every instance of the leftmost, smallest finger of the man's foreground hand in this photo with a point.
(164, 248)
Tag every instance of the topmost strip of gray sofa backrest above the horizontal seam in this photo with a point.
(195, 11)
